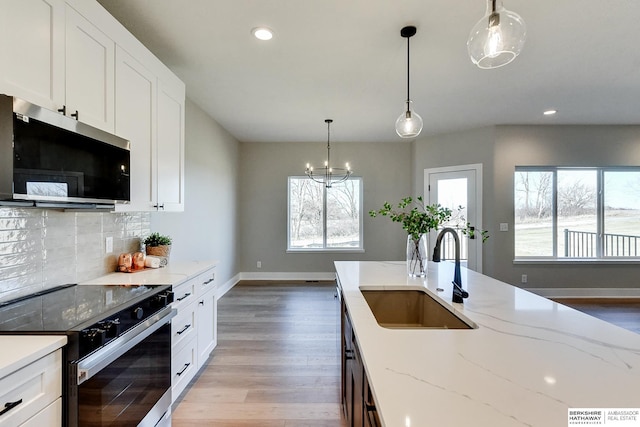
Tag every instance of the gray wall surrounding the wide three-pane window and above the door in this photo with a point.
(500, 149)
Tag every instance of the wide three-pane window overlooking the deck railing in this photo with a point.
(569, 213)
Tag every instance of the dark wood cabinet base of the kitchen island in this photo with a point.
(357, 399)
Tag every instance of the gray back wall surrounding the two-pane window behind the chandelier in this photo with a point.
(386, 172)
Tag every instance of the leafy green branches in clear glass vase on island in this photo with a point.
(417, 219)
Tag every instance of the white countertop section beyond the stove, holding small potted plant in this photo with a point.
(172, 274)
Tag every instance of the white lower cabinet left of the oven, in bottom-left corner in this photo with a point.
(33, 393)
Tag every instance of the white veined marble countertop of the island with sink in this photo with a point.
(527, 364)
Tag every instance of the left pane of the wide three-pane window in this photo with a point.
(533, 201)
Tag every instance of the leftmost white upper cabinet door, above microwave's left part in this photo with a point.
(32, 51)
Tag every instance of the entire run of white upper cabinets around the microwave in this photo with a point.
(74, 57)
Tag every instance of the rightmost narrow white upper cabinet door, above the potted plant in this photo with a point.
(170, 157)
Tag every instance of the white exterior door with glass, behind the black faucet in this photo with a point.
(454, 187)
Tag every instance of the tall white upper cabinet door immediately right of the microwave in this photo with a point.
(136, 100)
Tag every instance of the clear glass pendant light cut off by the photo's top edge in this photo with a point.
(497, 38)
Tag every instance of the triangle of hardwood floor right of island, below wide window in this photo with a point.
(624, 312)
